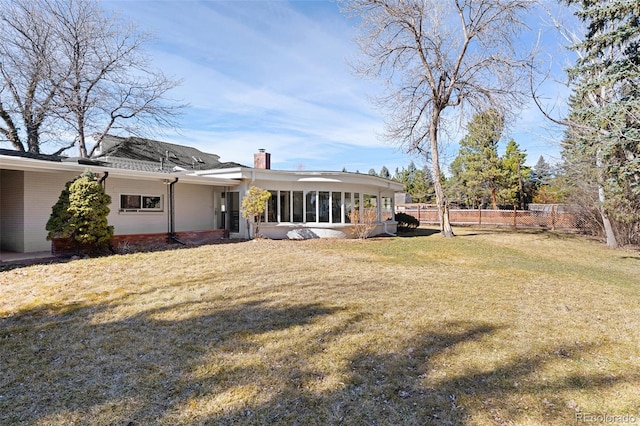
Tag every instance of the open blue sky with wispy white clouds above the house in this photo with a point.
(275, 75)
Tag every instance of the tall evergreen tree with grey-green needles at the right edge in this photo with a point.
(602, 144)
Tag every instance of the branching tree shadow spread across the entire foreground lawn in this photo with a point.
(60, 365)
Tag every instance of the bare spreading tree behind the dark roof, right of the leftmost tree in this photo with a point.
(110, 83)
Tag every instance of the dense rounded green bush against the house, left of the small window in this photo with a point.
(80, 214)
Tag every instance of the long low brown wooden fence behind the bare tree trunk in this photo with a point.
(551, 216)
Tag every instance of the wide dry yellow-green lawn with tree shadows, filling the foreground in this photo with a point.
(491, 327)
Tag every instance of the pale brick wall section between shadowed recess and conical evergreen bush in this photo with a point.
(42, 190)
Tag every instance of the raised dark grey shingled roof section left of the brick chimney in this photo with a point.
(135, 153)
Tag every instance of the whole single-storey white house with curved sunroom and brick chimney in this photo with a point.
(160, 189)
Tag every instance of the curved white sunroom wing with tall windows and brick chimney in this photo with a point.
(311, 204)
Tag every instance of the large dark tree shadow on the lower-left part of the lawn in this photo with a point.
(59, 366)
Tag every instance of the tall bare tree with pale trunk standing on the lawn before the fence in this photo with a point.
(438, 55)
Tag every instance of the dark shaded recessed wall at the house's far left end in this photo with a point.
(12, 210)
